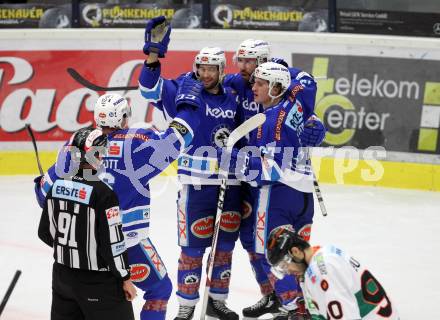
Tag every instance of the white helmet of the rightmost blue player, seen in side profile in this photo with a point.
(275, 73)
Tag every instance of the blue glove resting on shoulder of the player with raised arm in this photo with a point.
(189, 92)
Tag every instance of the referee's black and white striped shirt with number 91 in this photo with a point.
(81, 221)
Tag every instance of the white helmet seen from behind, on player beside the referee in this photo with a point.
(110, 111)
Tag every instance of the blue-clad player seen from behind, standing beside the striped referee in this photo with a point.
(135, 155)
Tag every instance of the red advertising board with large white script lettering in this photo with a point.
(36, 89)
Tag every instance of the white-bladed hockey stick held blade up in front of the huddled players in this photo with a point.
(233, 138)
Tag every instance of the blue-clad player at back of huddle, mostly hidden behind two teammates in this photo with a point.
(249, 55)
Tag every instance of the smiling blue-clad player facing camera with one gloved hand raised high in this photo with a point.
(197, 172)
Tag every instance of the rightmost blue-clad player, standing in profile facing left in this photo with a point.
(285, 180)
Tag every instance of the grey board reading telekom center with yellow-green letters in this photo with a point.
(377, 101)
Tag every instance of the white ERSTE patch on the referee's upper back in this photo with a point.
(71, 190)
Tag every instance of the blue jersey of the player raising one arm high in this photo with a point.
(198, 165)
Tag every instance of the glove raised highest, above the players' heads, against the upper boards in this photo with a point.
(157, 36)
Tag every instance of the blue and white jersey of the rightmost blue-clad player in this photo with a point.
(284, 160)
